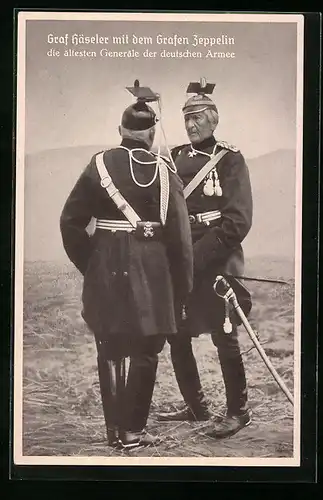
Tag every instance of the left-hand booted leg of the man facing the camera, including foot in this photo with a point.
(189, 384)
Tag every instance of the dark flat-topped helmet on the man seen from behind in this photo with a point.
(140, 116)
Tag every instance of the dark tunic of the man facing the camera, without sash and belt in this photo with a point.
(217, 248)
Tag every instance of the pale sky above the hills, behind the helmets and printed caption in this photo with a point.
(74, 101)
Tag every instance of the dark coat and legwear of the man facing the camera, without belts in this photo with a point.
(217, 251)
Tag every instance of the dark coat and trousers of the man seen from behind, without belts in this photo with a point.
(133, 285)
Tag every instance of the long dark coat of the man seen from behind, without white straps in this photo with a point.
(131, 286)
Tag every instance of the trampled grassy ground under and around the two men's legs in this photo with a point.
(62, 414)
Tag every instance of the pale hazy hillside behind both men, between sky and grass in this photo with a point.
(50, 176)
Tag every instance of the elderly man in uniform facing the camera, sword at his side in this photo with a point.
(219, 201)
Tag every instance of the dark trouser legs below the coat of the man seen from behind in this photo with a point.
(130, 410)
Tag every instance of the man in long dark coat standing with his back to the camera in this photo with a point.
(137, 266)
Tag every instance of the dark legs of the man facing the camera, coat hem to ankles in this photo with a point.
(232, 368)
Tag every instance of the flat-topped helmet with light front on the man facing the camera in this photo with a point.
(200, 101)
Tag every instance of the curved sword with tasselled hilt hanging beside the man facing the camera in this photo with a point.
(224, 290)
